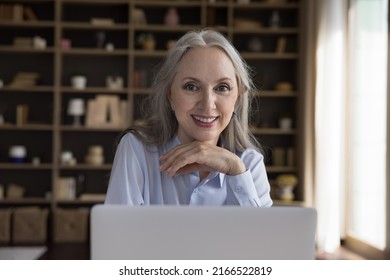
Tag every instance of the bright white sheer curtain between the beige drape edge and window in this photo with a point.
(330, 94)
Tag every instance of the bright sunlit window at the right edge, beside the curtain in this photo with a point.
(367, 100)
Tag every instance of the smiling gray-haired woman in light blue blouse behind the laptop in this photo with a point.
(195, 147)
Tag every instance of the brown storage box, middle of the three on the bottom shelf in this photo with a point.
(29, 225)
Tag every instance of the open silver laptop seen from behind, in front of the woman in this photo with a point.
(121, 232)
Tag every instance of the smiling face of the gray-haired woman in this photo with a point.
(203, 94)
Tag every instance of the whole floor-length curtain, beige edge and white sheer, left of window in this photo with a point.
(324, 140)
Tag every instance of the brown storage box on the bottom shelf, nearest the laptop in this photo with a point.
(71, 225)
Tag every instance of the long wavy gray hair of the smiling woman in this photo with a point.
(160, 124)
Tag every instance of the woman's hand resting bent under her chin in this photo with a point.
(199, 156)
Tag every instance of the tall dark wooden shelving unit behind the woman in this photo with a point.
(49, 131)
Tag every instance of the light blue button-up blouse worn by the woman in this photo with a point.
(136, 180)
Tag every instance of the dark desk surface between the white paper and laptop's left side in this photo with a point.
(67, 251)
